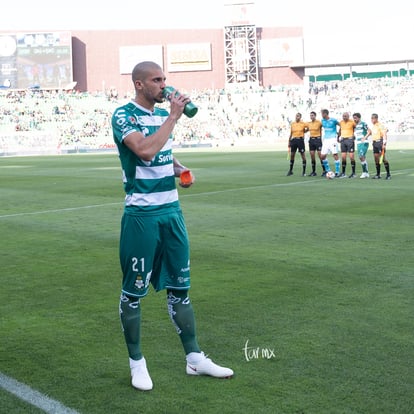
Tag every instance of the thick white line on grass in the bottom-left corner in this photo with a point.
(33, 397)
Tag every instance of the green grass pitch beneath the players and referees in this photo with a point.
(304, 286)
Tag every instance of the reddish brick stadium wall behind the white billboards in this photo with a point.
(96, 60)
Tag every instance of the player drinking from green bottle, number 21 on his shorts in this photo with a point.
(154, 246)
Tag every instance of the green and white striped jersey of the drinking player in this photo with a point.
(149, 185)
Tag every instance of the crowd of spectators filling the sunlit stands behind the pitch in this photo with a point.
(79, 119)
